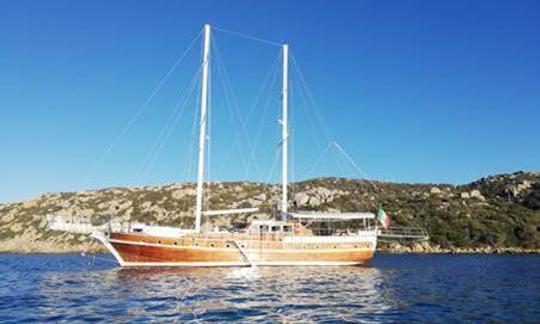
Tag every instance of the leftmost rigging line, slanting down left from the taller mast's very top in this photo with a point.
(142, 108)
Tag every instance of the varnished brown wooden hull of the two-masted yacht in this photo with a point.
(143, 250)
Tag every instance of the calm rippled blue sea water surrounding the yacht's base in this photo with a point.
(393, 288)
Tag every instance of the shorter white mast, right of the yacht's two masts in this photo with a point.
(284, 130)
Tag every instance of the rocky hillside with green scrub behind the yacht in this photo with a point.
(495, 212)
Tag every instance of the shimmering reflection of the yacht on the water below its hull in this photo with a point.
(270, 293)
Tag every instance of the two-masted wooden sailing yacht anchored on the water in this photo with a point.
(291, 239)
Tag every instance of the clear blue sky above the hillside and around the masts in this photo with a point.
(415, 91)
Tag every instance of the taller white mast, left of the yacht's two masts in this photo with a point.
(202, 127)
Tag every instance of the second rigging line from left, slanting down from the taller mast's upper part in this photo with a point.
(178, 109)
